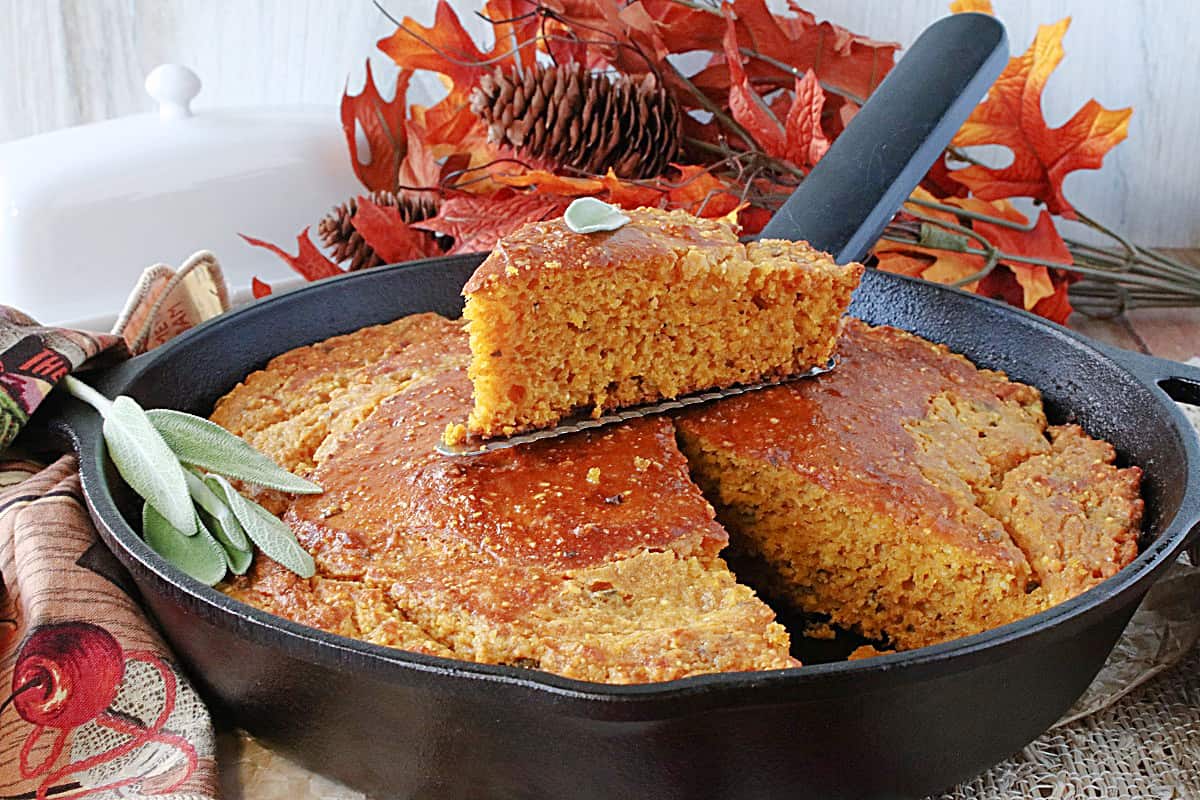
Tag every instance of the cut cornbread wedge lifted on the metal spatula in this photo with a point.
(667, 305)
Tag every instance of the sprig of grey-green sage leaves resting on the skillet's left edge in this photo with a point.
(194, 518)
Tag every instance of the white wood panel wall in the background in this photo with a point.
(71, 62)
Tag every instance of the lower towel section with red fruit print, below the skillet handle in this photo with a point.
(95, 707)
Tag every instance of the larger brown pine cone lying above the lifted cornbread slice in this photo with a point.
(569, 118)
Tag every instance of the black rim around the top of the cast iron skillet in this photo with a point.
(391, 664)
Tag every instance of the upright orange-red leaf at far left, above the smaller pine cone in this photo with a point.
(383, 128)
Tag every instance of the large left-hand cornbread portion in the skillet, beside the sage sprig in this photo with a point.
(593, 557)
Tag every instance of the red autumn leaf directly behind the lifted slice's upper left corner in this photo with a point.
(478, 222)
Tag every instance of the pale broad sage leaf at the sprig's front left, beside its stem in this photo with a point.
(148, 465)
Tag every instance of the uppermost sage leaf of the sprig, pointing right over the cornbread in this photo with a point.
(209, 447)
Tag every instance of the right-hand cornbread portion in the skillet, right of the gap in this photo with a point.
(911, 497)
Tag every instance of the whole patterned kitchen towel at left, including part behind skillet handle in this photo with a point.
(92, 703)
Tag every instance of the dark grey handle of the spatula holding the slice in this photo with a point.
(909, 121)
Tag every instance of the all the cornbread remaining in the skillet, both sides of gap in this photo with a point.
(907, 496)
